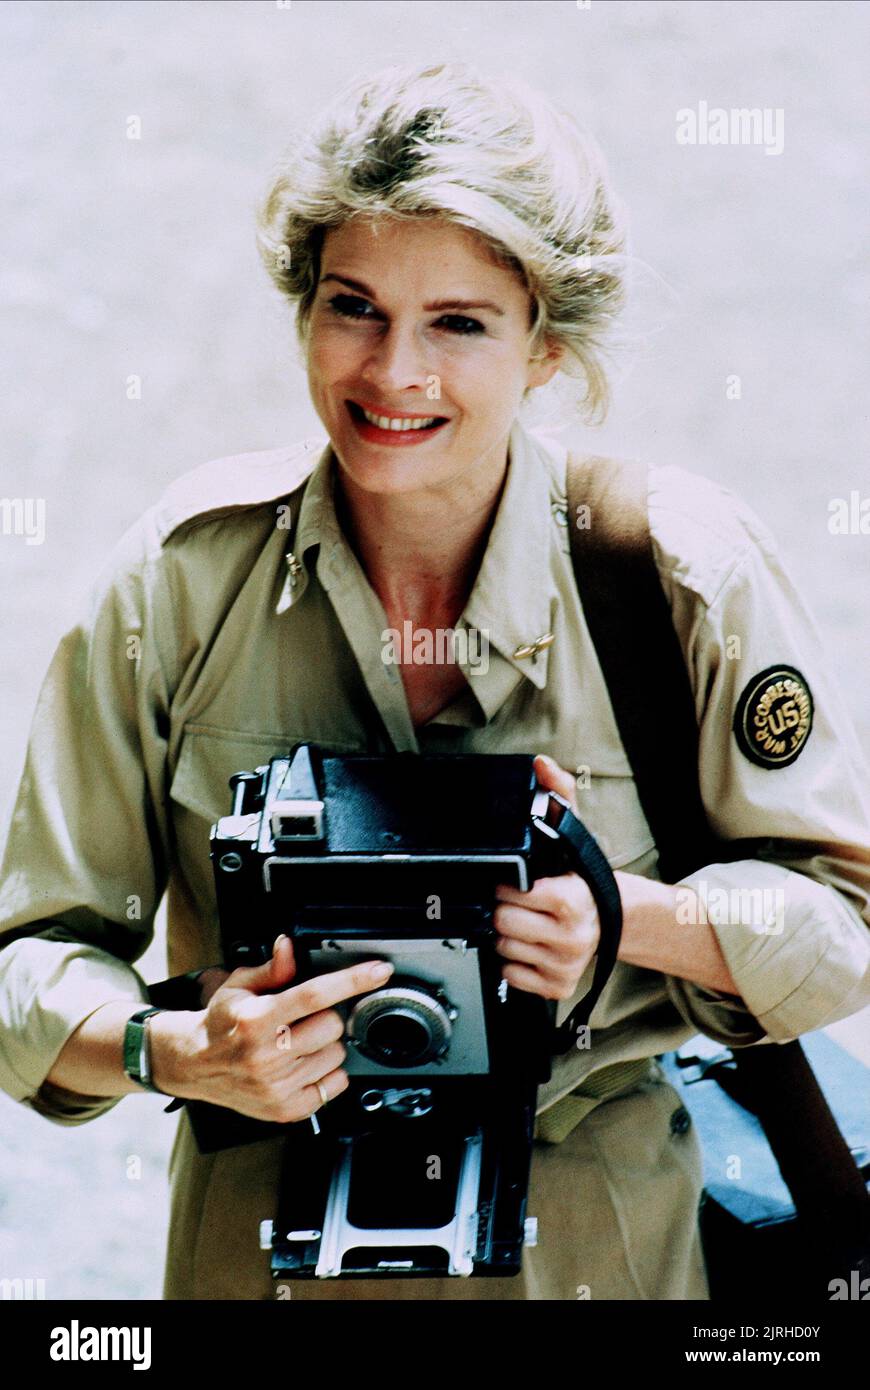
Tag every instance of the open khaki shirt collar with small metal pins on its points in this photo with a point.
(514, 596)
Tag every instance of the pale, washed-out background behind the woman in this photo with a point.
(137, 258)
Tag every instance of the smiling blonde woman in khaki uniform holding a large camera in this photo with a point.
(451, 243)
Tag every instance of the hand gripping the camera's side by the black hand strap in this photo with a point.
(552, 932)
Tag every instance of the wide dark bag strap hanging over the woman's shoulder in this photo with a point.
(643, 662)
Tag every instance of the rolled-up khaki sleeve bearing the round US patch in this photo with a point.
(793, 921)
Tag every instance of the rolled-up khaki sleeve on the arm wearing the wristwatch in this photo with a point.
(85, 846)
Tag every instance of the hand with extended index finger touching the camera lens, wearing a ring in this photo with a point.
(259, 1053)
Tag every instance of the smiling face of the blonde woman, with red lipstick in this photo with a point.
(416, 322)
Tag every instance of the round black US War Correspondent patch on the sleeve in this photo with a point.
(775, 717)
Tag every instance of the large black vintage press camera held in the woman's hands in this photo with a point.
(422, 1166)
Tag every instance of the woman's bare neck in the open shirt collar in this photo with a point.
(422, 551)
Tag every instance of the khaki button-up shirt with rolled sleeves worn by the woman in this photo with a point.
(234, 621)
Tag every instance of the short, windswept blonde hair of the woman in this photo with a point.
(487, 154)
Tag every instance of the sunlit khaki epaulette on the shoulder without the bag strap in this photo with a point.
(236, 483)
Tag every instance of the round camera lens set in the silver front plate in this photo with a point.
(405, 1025)
